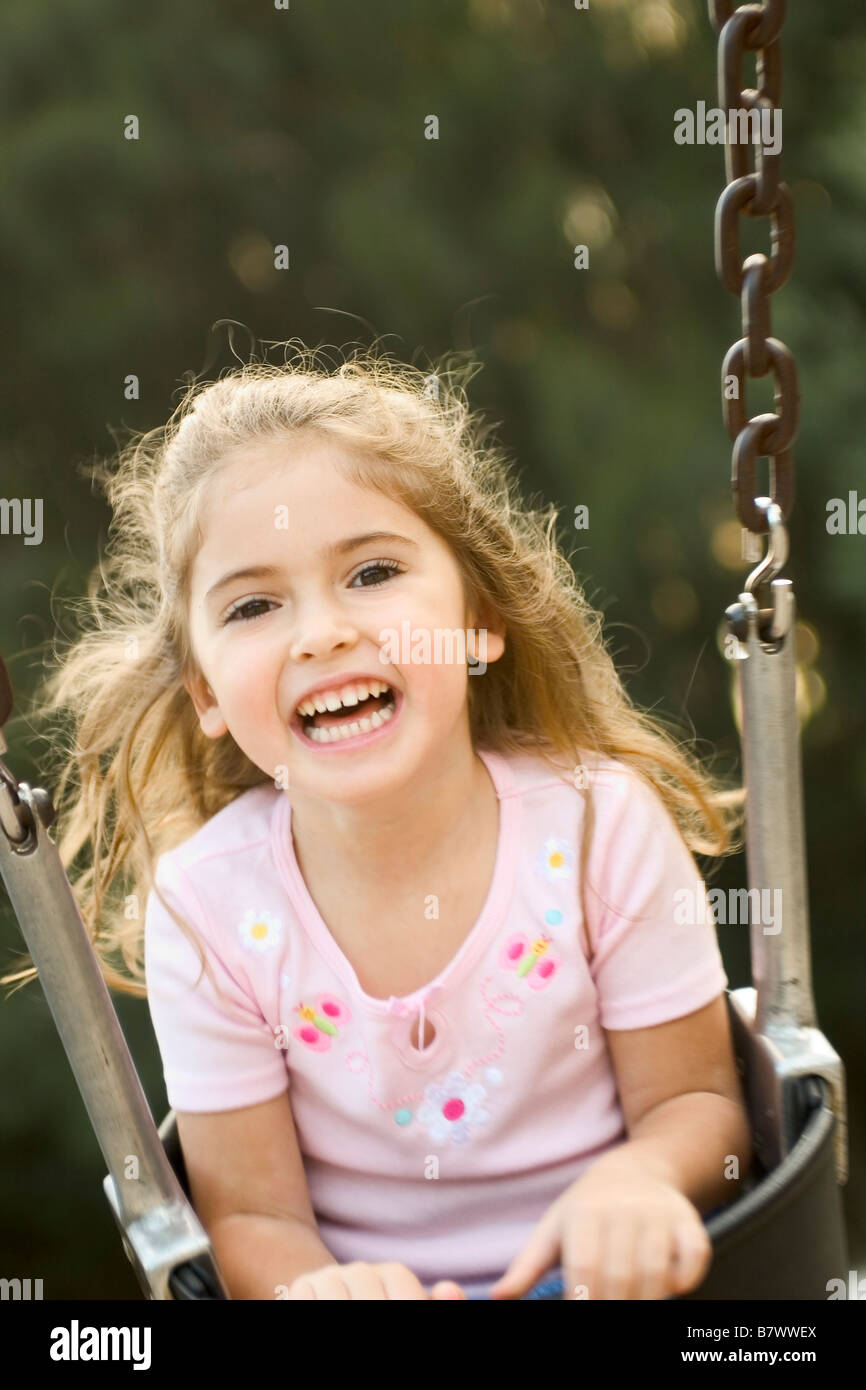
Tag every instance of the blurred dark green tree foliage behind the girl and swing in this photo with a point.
(307, 127)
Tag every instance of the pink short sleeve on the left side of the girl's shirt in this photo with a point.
(219, 1052)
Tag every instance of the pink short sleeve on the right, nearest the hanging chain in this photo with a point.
(657, 953)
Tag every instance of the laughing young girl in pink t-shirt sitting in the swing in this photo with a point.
(432, 1018)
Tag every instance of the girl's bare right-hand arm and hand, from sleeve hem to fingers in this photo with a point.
(630, 1227)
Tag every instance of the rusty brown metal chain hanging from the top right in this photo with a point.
(755, 28)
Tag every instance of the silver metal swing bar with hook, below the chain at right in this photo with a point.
(779, 1011)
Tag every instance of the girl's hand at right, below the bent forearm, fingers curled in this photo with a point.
(618, 1234)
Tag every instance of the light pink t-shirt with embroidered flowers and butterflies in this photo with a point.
(443, 1157)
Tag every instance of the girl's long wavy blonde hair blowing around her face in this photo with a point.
(136, 775)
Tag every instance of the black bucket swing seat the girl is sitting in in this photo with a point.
(783, 1238)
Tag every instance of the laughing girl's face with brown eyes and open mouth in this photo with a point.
(315, 607)
